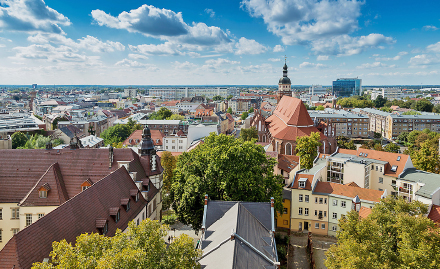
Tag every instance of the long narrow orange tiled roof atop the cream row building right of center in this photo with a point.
(348, 191)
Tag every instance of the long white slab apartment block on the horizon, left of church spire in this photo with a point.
(175, 93)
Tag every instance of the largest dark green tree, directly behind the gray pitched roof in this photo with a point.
(226, 169)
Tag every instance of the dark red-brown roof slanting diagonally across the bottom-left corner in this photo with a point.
(69, 220)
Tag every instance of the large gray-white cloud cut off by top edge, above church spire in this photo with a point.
(296, 21)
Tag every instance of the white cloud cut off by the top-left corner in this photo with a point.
(30, 16)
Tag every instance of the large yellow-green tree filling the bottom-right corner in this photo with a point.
(394, 235)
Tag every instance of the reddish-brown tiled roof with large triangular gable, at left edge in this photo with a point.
(24, 171)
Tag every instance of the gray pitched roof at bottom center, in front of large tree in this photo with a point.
(251, 221)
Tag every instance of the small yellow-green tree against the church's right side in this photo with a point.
(307, 149)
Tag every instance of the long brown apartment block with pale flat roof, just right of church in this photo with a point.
(341, 123)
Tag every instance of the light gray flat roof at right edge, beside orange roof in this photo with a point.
(431, 181)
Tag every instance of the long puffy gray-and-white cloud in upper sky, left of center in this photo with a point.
(164, 24)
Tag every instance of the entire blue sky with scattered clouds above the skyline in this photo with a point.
(218, 42)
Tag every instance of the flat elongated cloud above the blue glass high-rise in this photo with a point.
(346, 45)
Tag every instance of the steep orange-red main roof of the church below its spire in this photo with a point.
(292, 111)
